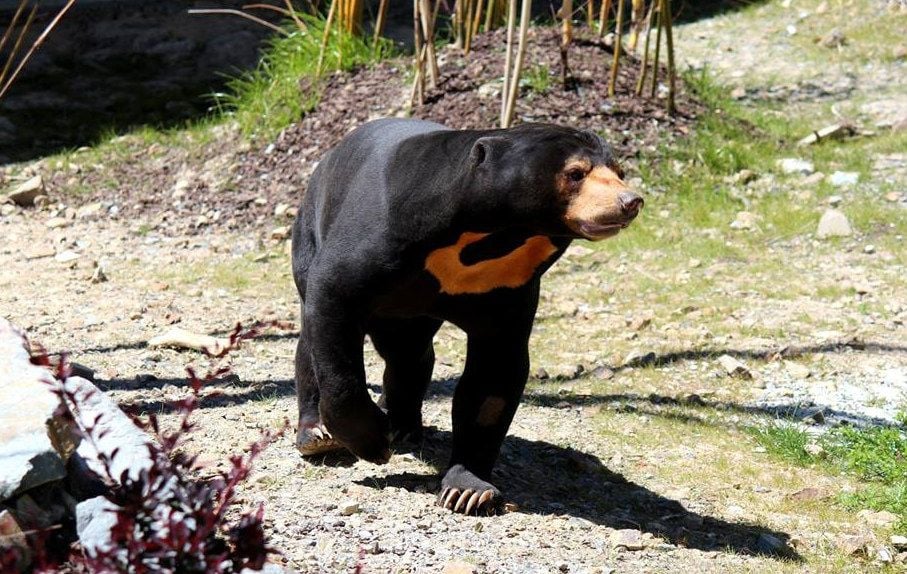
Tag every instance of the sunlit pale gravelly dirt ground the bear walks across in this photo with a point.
(629, 453)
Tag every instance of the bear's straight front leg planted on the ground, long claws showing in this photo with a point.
(487, 396)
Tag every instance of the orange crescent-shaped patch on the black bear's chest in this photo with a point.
(511, 270)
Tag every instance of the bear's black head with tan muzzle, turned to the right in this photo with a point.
(555, 180)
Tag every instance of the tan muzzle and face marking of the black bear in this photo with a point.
(593, 208)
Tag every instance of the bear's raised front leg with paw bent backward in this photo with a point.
(336, 339)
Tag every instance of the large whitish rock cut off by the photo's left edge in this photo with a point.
(34, 444)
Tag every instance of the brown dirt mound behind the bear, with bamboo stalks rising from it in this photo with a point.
(225, 184)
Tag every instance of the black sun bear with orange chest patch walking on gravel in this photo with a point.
(406, 224)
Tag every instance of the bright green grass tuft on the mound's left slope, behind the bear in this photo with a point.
(285, 84)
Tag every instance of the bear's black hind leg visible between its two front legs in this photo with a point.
(409, 357)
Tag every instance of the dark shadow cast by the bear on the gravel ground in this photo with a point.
(542, 478)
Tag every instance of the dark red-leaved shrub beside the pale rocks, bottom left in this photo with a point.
(166, 520)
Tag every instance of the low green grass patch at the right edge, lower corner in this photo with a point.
(876, 456)
